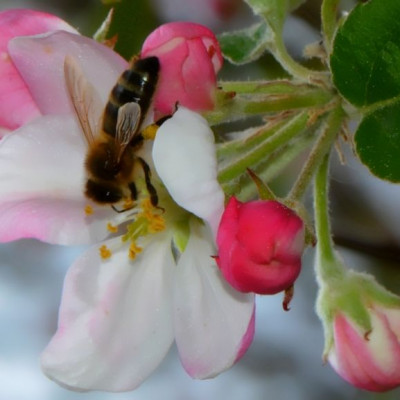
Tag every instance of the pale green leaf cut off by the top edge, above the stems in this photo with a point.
(273, 11)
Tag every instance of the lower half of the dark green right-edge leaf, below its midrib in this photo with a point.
(378, 142)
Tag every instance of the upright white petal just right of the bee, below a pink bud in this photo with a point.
(184, 158)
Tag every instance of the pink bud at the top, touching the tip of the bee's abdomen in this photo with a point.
(190, 58)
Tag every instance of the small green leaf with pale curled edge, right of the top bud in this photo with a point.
(245, 45)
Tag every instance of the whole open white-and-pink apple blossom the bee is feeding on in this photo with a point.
(149, 277)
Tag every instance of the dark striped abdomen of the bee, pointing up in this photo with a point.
(137, 85)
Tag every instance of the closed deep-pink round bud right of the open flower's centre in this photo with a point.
(260, 246)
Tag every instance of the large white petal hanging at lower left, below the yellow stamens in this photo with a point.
(115, 323)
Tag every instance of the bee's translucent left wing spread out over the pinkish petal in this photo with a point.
(85, 99)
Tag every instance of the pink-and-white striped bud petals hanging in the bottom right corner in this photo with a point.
(368, 360)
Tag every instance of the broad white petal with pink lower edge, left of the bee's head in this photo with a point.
(41, 184)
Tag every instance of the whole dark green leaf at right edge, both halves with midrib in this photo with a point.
(365, 64)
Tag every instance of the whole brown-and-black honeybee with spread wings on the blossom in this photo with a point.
(115, 137)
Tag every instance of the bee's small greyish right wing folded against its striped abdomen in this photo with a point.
(127, 125)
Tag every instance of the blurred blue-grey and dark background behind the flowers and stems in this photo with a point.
(284, 361)
